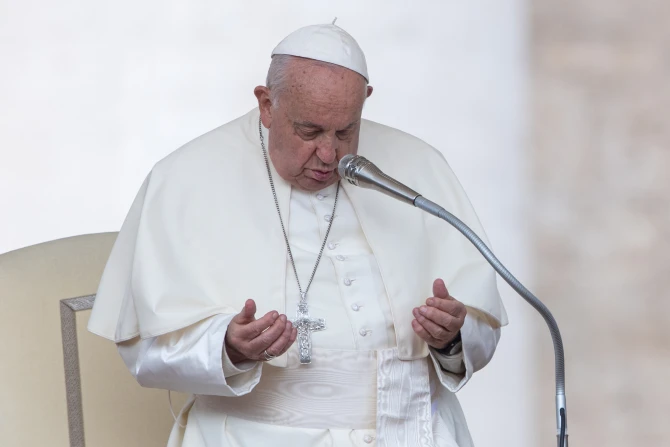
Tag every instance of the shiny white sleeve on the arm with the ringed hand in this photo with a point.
(191, 360)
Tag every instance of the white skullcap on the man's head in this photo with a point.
(327, 43)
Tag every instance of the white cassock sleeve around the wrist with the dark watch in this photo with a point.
(479, 339)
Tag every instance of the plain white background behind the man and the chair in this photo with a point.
(94, 93)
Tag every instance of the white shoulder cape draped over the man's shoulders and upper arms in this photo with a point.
(202, 236)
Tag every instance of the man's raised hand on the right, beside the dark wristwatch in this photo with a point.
(439, 321)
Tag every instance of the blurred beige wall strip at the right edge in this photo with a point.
(601, 213)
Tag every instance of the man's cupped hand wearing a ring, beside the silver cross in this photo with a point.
(248, 338)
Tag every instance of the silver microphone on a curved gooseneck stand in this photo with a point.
(360, 171)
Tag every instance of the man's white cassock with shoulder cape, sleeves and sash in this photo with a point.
(203, 236)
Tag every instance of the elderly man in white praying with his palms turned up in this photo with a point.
(298, 310)
